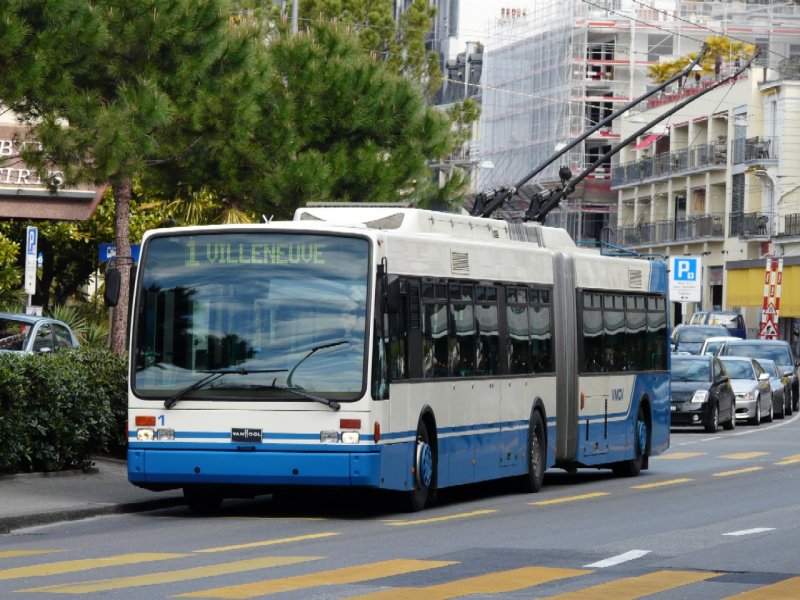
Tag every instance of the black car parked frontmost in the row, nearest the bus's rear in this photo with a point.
(701, 393)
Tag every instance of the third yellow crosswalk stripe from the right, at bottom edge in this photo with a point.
(491, 583)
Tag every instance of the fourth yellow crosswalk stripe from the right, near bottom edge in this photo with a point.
(342, 576)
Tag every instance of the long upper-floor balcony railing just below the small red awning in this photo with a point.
(667, 164)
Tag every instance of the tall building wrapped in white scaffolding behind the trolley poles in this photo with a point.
(554, 68)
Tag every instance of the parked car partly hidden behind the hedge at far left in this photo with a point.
(34, 335)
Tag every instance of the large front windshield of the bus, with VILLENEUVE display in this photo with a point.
(274, 310)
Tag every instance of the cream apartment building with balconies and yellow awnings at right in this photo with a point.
(719, 180)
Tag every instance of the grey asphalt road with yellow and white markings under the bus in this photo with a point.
(716, 516)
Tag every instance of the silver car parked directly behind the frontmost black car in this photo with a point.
(751, 386)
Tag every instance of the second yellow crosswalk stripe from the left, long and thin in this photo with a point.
(118, 583)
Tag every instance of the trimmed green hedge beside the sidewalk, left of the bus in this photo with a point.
(59, 410)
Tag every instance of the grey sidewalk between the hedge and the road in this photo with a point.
(41, 498)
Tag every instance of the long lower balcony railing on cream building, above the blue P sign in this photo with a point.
(672, 230)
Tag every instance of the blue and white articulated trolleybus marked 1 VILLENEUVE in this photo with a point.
(390, 348)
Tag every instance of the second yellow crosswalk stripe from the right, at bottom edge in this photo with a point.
(631, 588)
